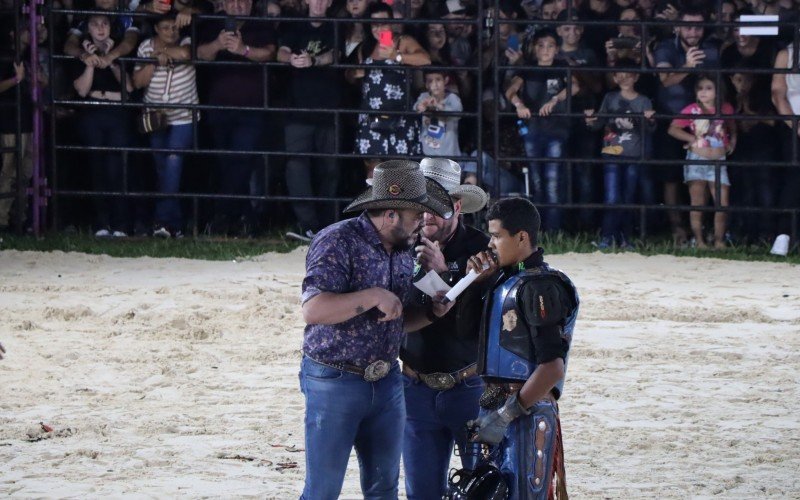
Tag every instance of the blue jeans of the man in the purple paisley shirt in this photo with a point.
(342, 411)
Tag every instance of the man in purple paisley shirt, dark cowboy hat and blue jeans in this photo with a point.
(358, 278)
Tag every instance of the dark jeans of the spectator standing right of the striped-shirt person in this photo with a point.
(236, 131)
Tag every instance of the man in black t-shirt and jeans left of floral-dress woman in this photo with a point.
(310, 48)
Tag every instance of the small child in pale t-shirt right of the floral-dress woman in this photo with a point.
(439, 134)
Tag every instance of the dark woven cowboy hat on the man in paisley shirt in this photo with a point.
(400, 184)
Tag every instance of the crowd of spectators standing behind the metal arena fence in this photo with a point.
(579, 103)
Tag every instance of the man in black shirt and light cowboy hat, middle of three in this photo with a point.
(441, 388)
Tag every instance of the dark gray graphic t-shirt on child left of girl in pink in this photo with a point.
(624, 136)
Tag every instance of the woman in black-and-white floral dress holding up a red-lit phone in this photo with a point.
(384, 89)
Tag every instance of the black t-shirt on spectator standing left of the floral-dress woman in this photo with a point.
(314, 87)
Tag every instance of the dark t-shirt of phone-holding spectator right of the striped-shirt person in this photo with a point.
(238, 85)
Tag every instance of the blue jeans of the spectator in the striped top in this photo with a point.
(168, 169)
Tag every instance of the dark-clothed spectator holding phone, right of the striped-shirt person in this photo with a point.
(239, 39)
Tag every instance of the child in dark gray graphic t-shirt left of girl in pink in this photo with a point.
(624, 138)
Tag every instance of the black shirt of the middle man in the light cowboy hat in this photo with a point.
(451, 343)
